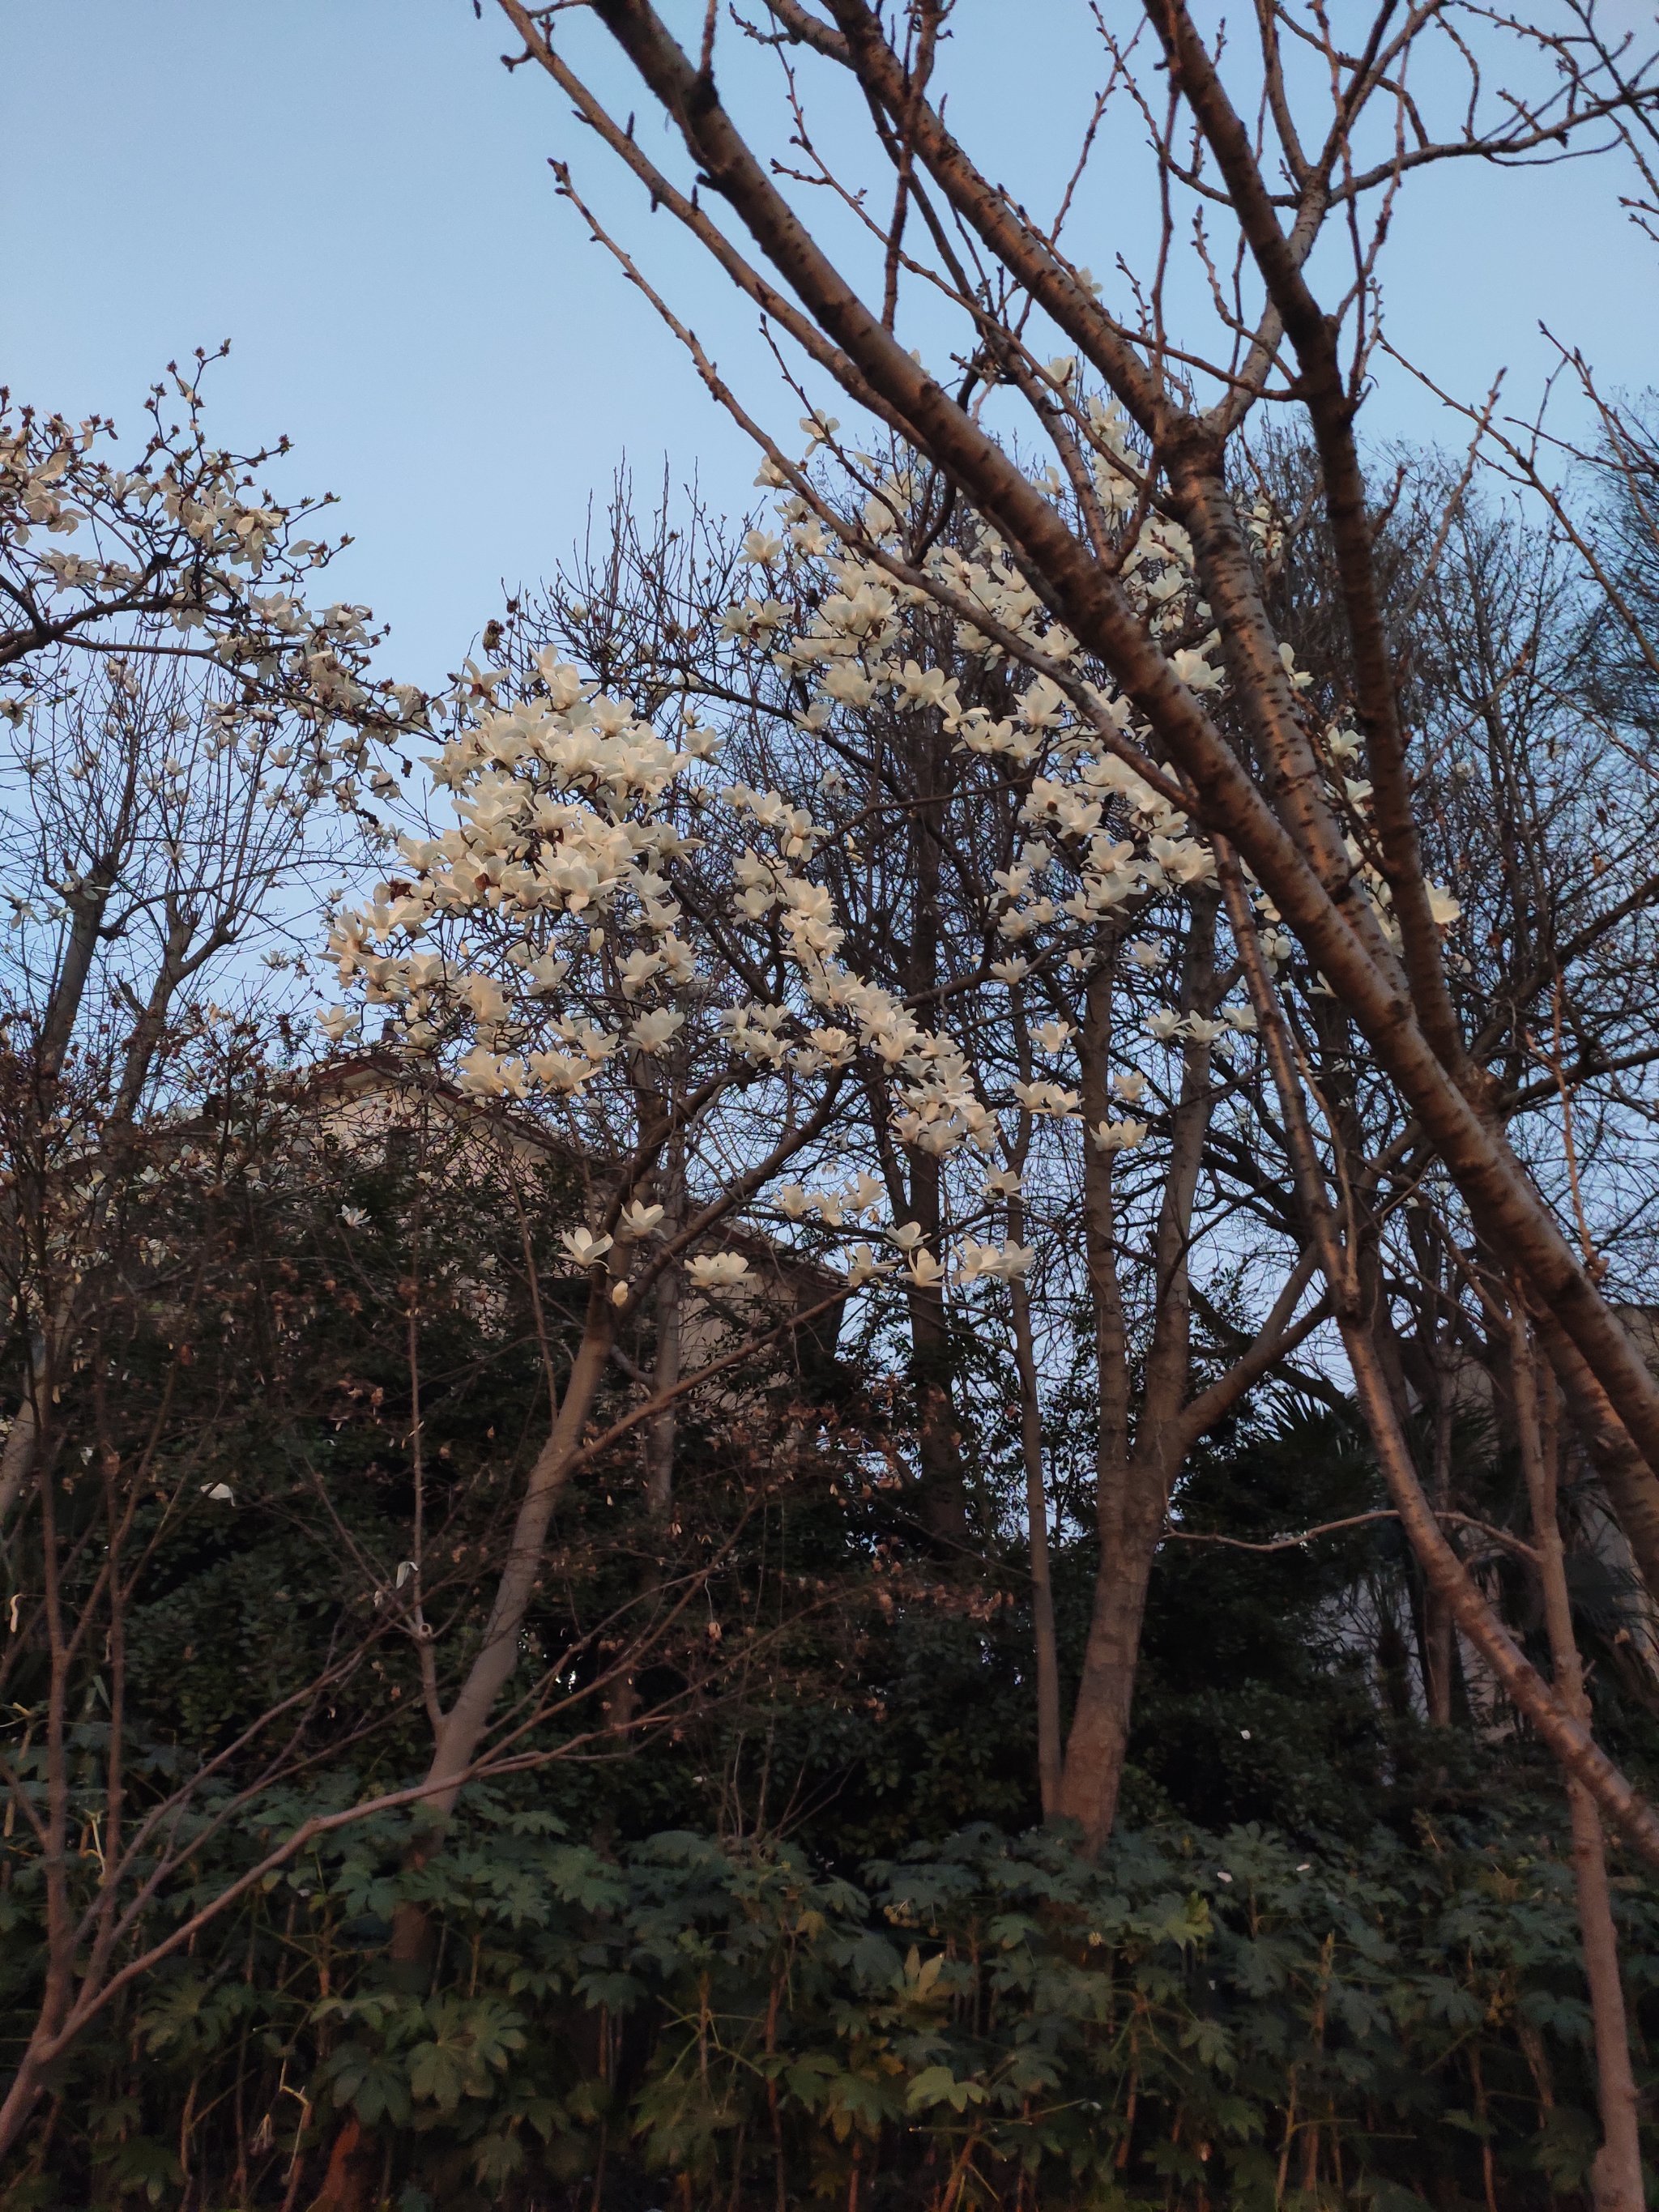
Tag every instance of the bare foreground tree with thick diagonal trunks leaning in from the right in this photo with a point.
(1288, 152)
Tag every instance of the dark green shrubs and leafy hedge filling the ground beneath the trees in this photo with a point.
(797, 1943)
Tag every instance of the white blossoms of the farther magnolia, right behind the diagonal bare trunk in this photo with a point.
(1103, 842)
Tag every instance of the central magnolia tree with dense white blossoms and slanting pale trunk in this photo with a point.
(649, 961)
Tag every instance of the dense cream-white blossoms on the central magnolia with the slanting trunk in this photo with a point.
(545, 946)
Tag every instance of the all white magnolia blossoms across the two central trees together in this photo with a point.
(567, 928)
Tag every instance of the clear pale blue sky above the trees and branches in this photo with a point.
(357, 194)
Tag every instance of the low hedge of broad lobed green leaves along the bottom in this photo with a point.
(985, 2021)
